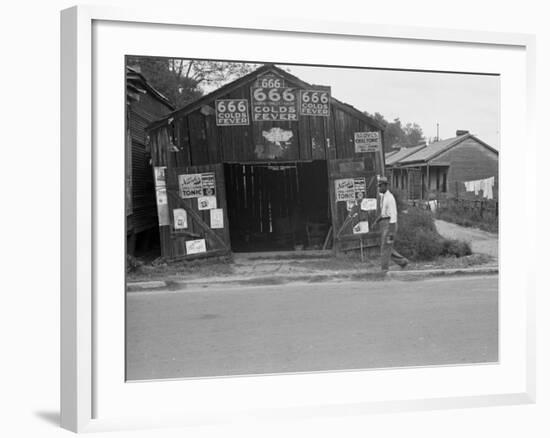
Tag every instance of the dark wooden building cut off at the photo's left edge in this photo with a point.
(144, 105)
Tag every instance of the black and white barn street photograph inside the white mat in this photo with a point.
(285, 218)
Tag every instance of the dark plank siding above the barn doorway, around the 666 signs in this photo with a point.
(200, 141)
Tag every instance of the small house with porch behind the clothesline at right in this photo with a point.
(444, 167)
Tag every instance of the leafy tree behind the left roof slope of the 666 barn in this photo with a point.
(182, 81)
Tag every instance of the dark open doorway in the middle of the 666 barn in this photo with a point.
(277, 206)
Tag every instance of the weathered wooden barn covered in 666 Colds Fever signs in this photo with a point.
(266, 162)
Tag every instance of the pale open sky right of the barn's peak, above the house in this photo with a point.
(455, 101)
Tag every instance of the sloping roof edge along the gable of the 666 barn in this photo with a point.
(250, 77)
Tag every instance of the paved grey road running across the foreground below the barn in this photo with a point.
(307, 327)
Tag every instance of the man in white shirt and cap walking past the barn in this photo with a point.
(388, 227)
